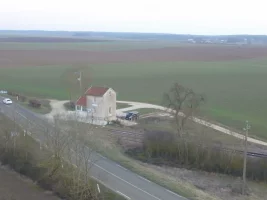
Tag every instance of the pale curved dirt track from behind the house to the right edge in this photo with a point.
(138, 105)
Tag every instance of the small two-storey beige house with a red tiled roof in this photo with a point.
(97, 104)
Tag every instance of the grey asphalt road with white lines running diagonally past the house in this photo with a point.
(109, 173)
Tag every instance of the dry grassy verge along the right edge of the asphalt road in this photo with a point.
(107, 147)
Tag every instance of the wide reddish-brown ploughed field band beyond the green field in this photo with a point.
(10, 58)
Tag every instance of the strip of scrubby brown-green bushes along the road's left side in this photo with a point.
(25, 157)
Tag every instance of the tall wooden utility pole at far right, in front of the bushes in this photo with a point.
(246, 129)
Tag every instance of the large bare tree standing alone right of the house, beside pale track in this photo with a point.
(182, 103)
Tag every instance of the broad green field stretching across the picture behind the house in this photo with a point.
(235, 90)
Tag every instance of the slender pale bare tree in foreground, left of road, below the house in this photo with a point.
(79, 155)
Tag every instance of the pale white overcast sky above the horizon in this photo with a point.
(163, 16)
